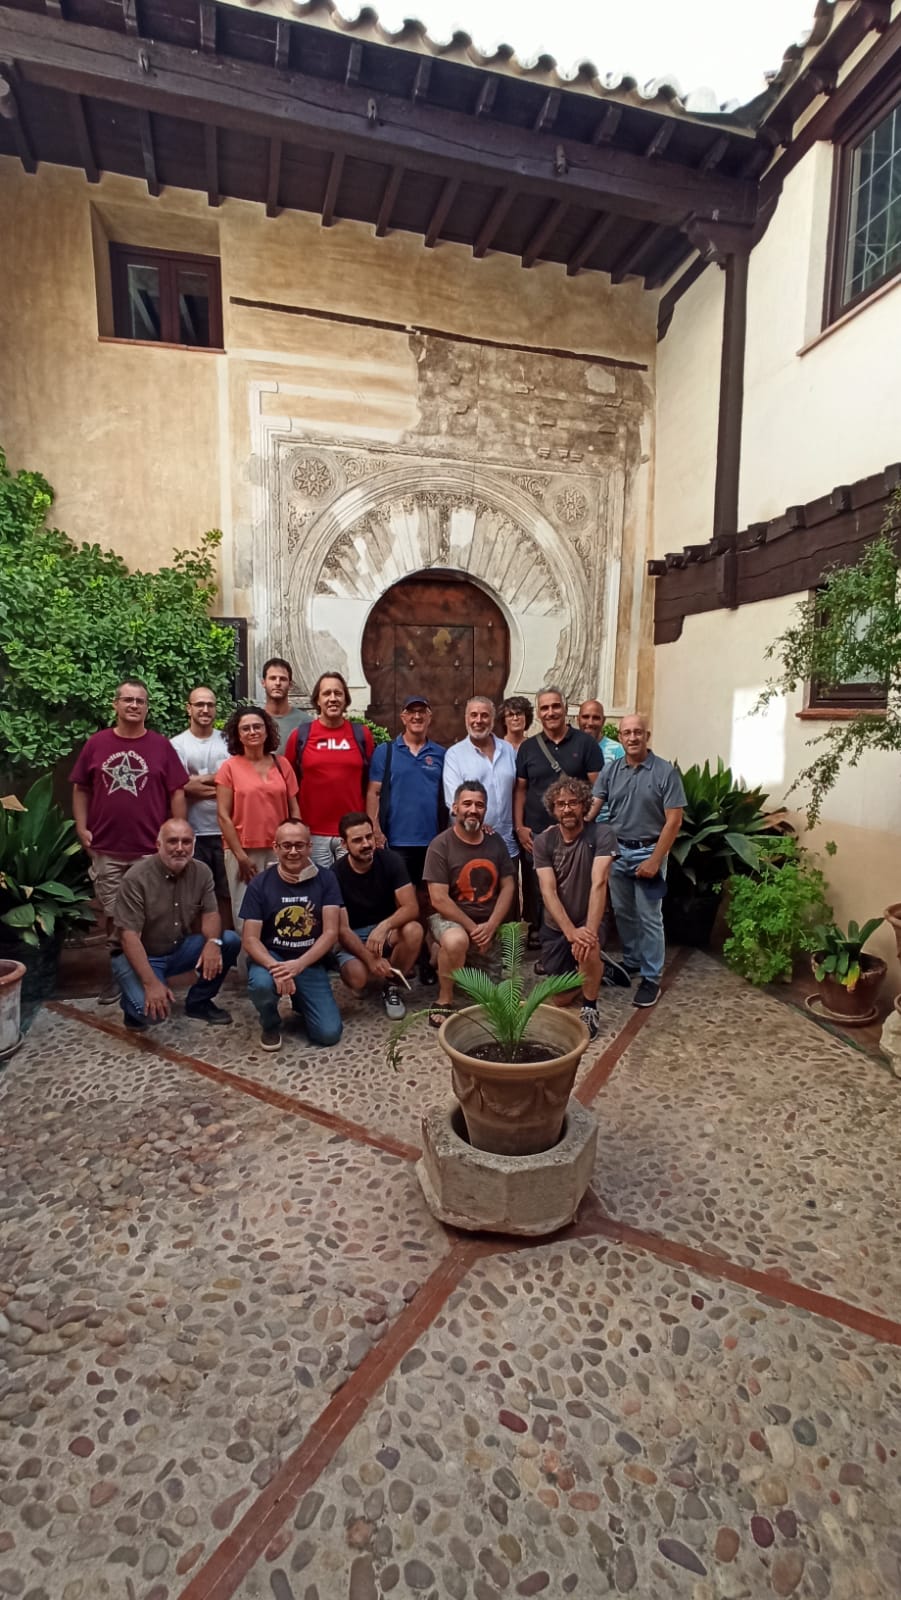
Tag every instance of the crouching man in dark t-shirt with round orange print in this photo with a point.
(471, 886)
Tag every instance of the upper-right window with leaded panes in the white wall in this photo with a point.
(865, 241)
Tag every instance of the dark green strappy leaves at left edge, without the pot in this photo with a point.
(44, 874)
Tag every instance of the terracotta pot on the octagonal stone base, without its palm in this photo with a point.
(515, 1108)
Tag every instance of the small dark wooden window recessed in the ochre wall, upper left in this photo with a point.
(164, 297)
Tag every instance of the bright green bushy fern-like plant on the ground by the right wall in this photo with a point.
(774, 916)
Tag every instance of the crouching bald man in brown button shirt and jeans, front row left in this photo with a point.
(159, 903)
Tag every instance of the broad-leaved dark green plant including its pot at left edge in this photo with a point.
(44, 889)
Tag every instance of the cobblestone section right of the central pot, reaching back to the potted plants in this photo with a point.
(737, 1127)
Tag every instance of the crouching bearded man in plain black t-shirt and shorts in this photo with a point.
(378, 935)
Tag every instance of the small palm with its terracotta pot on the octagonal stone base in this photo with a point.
(513, 1057)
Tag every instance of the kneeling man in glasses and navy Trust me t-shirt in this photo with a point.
(290, 924)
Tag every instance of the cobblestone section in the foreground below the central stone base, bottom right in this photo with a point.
(583, 1420)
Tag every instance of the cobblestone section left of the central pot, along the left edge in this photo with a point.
(186, 1276)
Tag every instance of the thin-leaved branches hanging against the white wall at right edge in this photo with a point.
(849, 631)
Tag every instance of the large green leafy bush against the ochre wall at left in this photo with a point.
(74, 620)
